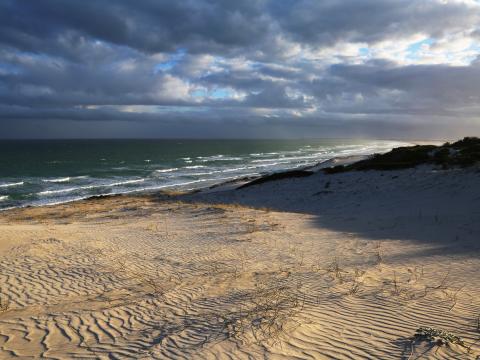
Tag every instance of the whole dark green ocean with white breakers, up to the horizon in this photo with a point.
(42, 172)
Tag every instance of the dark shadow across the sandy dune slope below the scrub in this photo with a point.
(440, 209)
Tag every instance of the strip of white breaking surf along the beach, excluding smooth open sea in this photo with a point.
(107, 178)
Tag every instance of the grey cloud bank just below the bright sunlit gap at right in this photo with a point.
(414, 89)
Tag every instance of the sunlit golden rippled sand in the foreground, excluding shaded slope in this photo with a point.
(123, 286)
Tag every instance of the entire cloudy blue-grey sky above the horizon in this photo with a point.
(239, 69)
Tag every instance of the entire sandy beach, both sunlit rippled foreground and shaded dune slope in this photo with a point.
(340, 266)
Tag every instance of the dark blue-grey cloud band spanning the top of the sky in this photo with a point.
(205, 25)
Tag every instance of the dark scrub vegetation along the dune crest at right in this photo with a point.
(463, 153)
